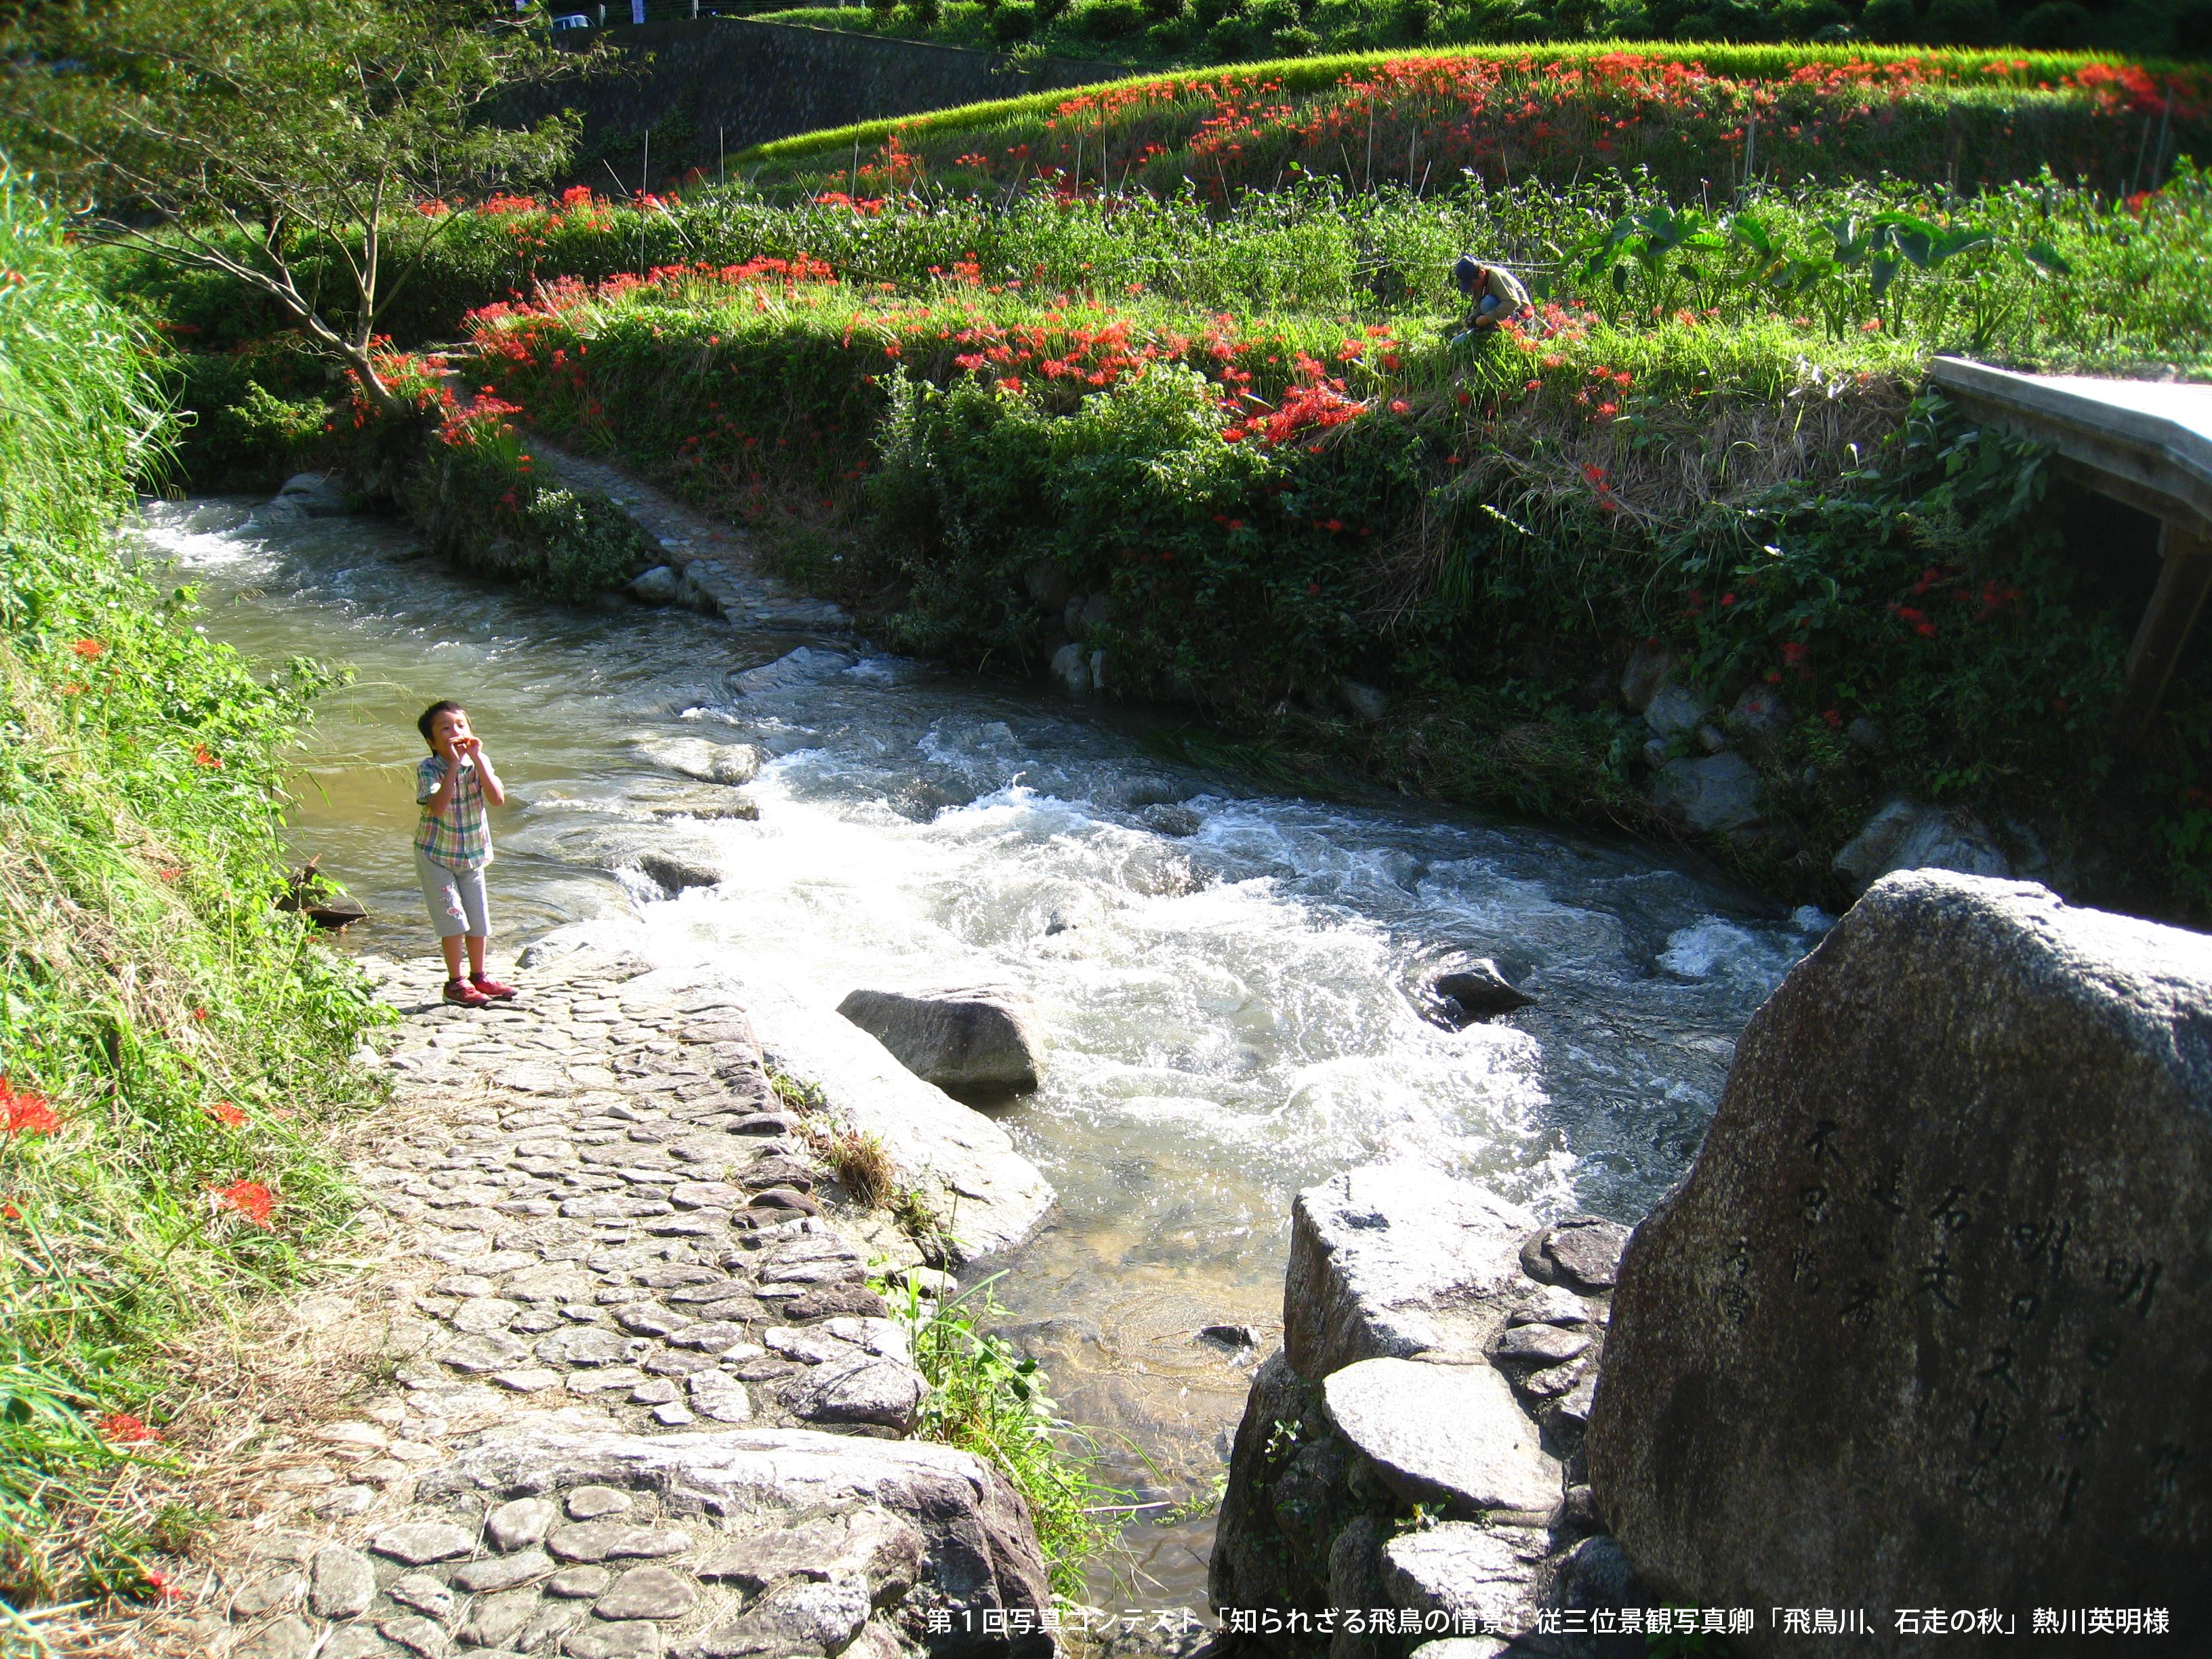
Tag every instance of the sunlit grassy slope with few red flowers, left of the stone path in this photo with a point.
(174, 1052)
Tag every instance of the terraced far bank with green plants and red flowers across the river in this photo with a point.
(1003, 366)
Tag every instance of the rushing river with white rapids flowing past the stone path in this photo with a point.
(1229, 981)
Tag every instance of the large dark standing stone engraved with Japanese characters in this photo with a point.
(1930, 1324)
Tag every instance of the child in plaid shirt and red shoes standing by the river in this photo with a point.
(455, 844)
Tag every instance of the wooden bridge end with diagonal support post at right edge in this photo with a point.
(2147, 444)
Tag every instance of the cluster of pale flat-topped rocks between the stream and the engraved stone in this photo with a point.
(1408, 1448)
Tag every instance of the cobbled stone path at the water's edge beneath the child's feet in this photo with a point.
(643, 1399)
